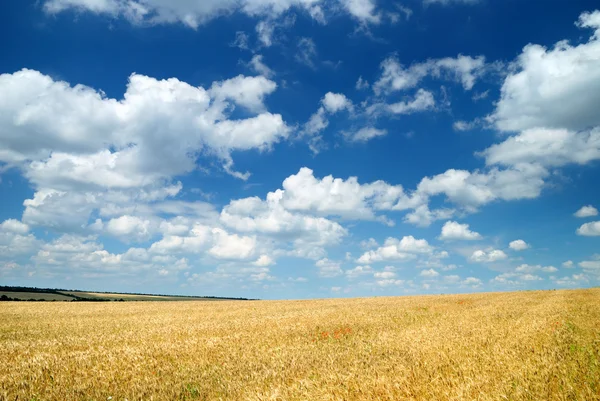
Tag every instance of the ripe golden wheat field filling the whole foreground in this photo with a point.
(498, 346)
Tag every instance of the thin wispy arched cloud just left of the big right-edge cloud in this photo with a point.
(463, 69)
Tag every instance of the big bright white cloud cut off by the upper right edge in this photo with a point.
(554, 88)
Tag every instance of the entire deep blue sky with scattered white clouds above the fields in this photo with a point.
(300, 148)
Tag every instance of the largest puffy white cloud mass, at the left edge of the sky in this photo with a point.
(74, 131)
